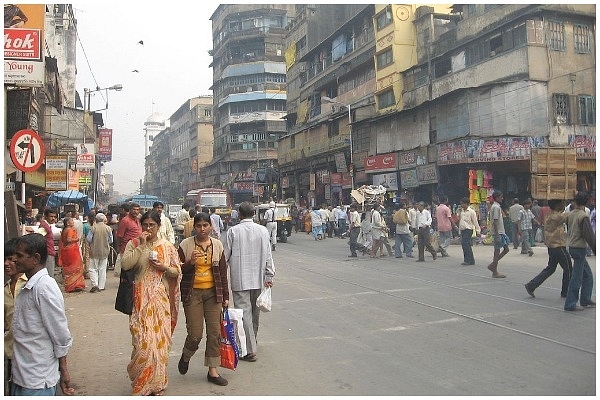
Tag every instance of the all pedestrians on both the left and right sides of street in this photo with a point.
(201, 270)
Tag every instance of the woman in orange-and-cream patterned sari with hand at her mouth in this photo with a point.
(156, 298)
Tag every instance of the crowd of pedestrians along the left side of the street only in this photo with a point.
(195, 273)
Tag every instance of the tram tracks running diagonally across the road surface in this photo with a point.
(395, 293)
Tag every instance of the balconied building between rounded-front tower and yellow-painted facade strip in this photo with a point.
(331, 81)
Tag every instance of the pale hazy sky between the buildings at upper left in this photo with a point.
(173, 65)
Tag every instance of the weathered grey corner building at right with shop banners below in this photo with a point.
(491, 83)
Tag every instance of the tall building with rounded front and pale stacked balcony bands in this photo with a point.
(249, 90)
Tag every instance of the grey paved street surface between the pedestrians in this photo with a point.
(342, 326)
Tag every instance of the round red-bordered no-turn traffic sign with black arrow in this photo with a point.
(27, 150)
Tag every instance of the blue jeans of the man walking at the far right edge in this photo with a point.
(581, 279)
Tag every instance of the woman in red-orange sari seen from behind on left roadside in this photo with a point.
(69, 258)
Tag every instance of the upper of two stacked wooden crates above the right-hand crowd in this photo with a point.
(554, 161)
